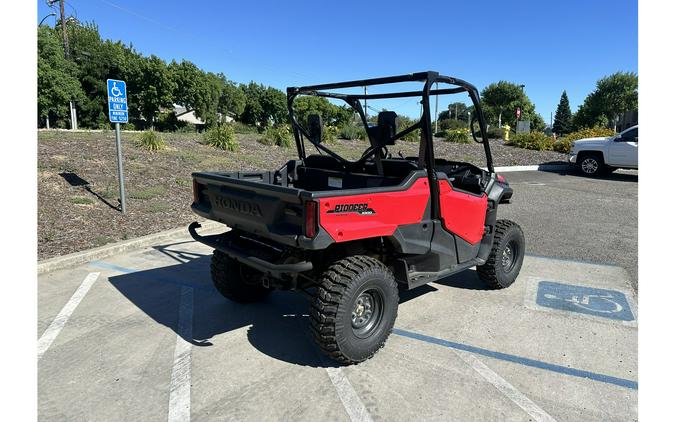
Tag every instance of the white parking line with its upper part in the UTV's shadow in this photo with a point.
(179, 393)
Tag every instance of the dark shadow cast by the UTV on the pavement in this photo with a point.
(278, 326)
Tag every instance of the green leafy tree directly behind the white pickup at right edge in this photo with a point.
(613, 95)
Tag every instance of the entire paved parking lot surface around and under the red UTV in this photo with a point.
(144, 335)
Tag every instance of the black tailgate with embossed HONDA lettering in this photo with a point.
(251, 202)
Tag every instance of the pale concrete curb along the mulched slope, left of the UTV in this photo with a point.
(78, 258)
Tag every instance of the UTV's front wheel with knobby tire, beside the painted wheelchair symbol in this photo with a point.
(506, 257)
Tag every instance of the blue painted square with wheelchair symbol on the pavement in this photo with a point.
(586, 300)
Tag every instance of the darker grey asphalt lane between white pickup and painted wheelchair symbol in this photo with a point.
(565, 215)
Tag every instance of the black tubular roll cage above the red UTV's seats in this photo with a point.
(426, 154)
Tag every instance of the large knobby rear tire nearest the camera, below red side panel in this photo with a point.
(355, 308)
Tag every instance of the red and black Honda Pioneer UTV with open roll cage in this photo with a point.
(351, 233)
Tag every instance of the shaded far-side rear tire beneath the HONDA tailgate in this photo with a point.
(236, 281)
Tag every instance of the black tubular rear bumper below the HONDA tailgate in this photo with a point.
(275, 270)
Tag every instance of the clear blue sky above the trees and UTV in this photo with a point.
(546, 45)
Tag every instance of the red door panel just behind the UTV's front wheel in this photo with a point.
(462, 213)
